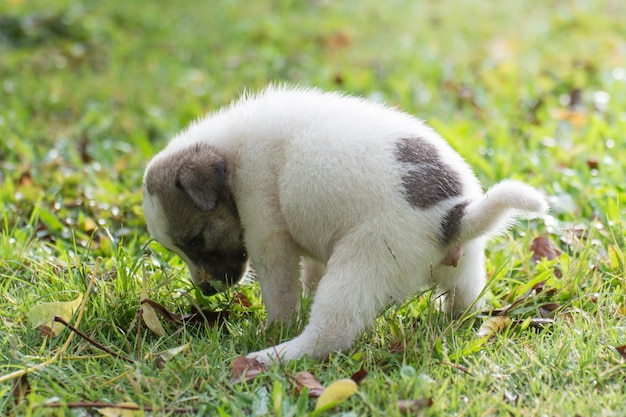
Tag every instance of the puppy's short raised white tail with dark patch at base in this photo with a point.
(497, 209)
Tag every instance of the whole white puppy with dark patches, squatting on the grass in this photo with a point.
(369, 201)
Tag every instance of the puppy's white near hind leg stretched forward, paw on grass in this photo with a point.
(344, 304)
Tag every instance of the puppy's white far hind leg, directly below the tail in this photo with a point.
(460, 286)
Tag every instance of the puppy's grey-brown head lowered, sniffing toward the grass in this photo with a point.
(190, 210)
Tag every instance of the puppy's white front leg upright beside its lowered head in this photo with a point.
(276, 263)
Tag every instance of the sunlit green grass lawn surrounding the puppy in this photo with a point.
(91, 91)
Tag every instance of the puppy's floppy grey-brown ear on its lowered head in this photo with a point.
(201, 176)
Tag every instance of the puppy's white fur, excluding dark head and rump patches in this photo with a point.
(314, 176)
